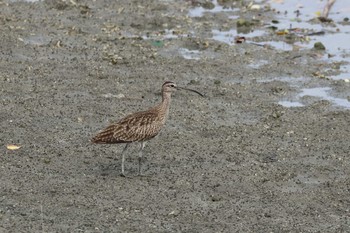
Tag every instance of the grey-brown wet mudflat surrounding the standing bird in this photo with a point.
(234, 161)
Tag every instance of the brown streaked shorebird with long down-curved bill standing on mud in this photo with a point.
(140, 126)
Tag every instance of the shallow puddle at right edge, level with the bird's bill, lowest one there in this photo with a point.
(322, 93)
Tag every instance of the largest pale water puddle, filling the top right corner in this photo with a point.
(298, 14)
